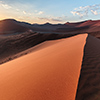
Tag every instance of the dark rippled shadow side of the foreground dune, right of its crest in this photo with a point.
(89, 83)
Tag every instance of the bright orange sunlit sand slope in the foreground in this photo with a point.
(51, 73)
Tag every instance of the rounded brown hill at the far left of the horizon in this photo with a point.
(9, 26)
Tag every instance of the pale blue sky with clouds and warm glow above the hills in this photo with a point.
(52, 11)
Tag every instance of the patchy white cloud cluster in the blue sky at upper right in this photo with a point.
(84, 11)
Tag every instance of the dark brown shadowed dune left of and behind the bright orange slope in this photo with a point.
(13, 46)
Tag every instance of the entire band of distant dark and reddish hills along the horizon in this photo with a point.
(92, 27)
